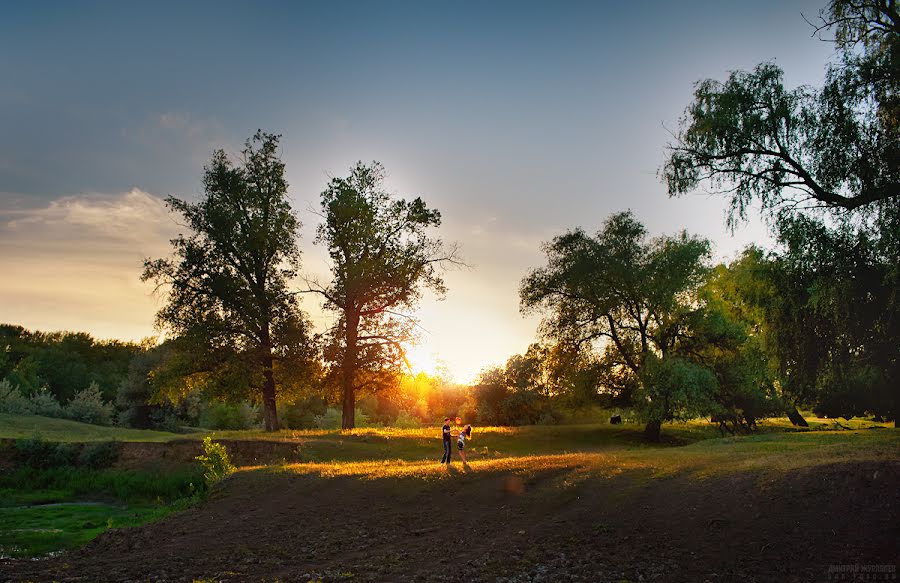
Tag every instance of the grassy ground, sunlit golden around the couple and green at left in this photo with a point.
(44, 511)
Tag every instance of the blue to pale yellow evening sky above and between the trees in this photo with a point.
(517, 120)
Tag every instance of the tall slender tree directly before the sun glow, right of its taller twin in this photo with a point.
(382, 258)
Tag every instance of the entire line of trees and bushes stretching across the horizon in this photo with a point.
(628, 319)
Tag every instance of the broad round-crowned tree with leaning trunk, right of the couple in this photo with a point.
(631, 296)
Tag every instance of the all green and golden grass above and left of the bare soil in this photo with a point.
(48, 510)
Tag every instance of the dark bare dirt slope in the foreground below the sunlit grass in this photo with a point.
(489, 526)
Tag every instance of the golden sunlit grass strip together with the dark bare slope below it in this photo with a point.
(565, 503)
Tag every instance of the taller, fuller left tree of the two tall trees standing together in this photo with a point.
(227, 297)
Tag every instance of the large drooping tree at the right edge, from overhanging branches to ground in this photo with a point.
(824, 165)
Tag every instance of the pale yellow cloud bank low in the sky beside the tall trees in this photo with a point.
(76, 262)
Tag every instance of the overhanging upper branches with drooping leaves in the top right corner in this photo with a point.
(836, 148)
